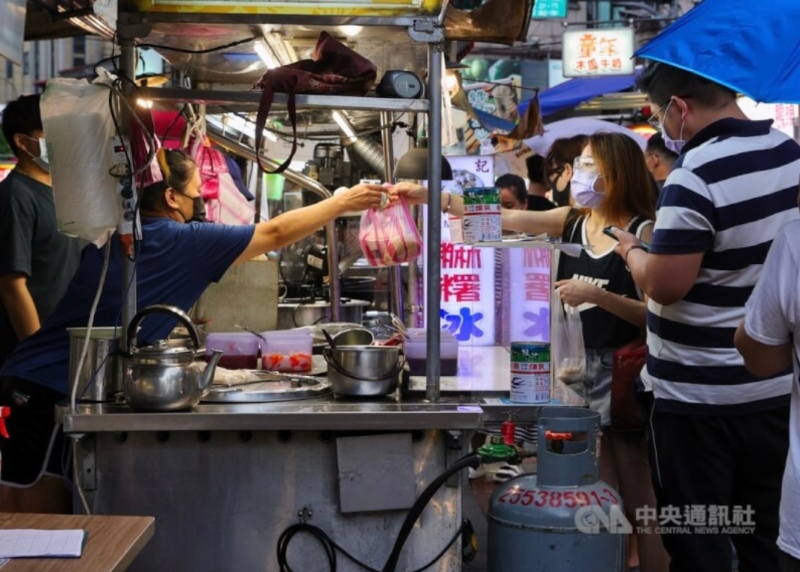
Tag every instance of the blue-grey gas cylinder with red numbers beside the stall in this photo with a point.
(563, 519)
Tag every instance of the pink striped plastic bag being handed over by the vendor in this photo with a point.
(389, 236)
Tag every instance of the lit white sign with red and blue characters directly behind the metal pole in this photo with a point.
(467, 286)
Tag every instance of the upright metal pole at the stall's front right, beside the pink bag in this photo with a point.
(433, 270)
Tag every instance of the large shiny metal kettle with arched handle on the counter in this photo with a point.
(164, 377)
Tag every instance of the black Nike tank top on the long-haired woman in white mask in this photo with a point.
(601, 329)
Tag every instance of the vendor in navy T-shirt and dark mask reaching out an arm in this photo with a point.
(176, 261)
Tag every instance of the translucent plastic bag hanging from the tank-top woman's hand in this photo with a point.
(569, 355)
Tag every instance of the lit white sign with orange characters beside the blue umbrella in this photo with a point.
(598, 52)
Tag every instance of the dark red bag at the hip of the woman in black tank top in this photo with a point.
(628, 363)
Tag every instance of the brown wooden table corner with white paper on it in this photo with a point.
(112, 544)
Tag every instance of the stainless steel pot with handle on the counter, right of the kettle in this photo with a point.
(363, 370)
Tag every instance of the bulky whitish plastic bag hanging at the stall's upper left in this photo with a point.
(78, 129)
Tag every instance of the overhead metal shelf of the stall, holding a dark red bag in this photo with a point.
(252, 98)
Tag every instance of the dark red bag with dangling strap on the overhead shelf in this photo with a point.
(334, 70)
